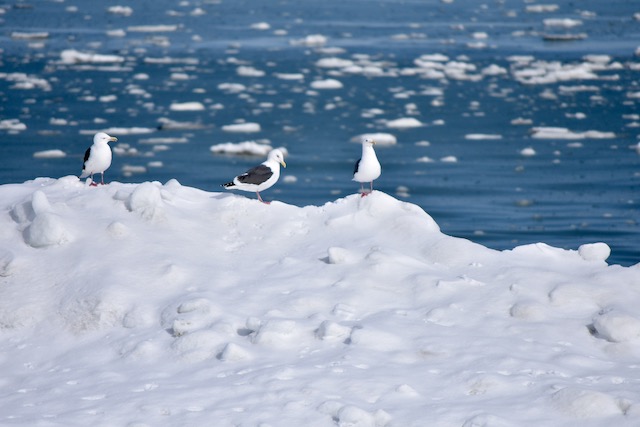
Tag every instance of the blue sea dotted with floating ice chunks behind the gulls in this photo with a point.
(510, 122)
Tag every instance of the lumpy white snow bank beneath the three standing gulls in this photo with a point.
(164, 305)
